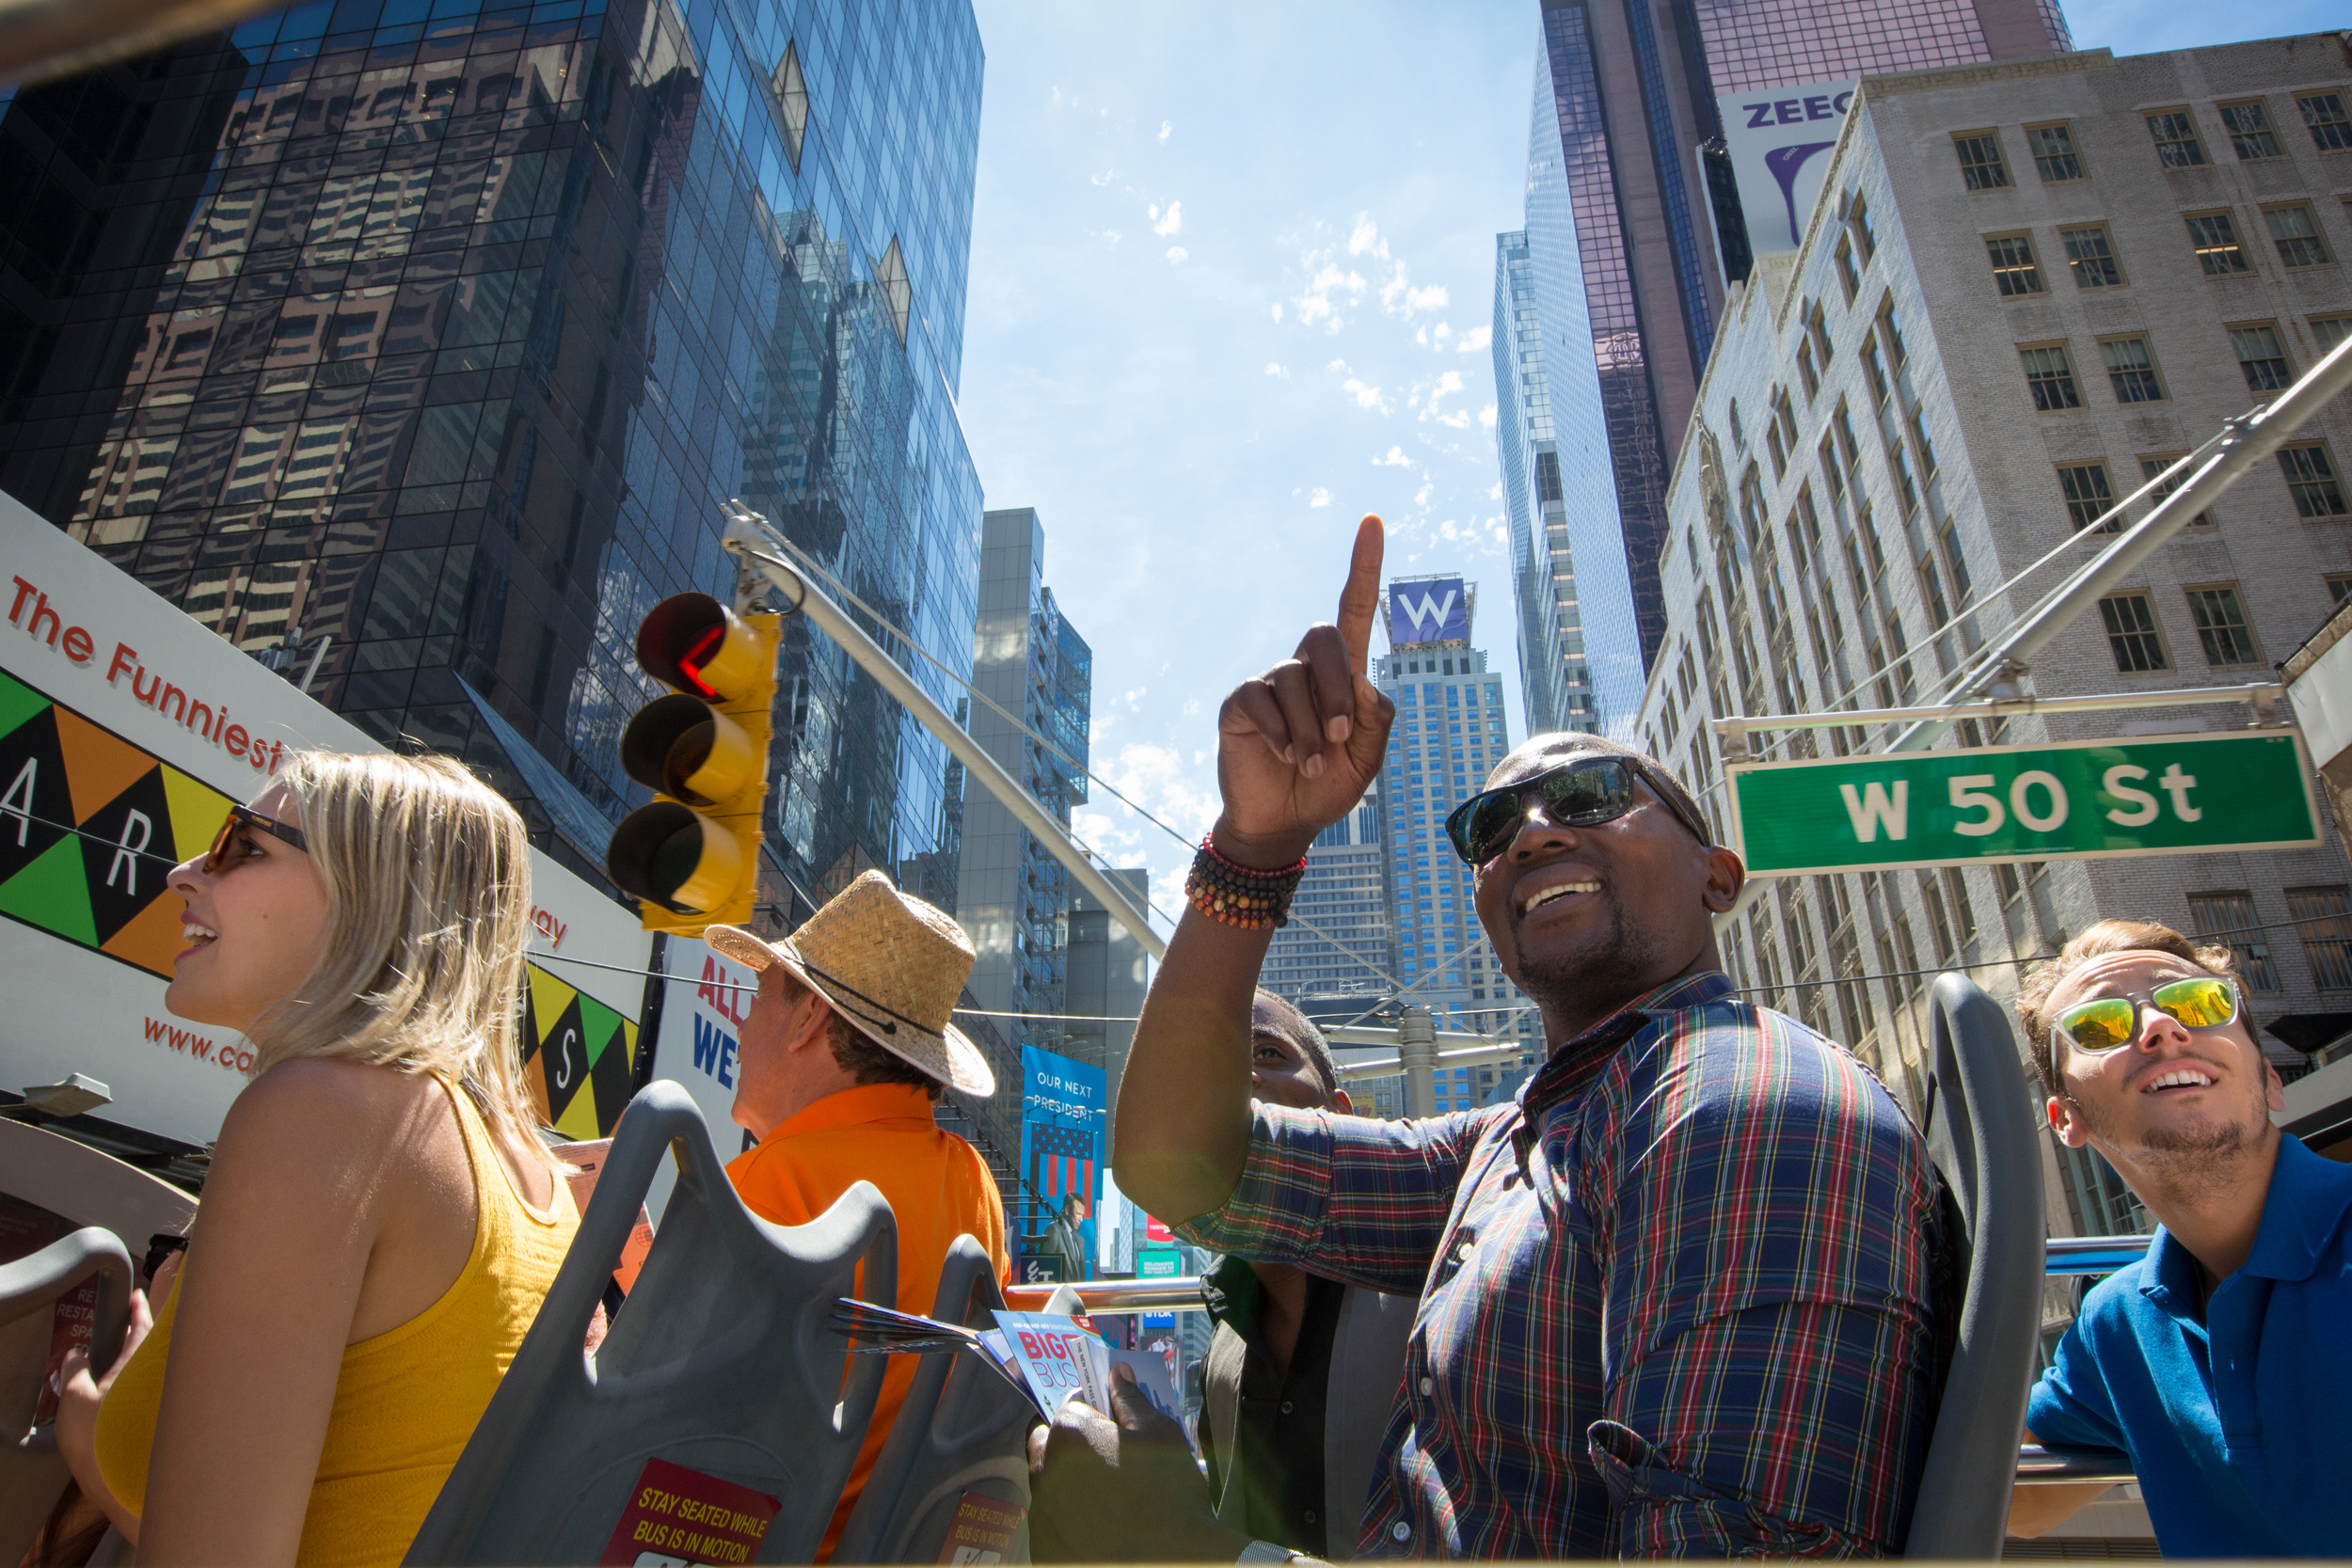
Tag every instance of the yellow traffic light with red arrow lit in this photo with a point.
(693, 855)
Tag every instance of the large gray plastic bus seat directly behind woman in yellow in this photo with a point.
(723, 1362)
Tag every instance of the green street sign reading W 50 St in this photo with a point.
(2078, 800)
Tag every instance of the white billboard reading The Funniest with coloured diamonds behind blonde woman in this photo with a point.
(126, 735)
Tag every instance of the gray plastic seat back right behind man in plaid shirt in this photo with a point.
(1986, 1144)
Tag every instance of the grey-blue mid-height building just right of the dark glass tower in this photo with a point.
(1013, 894)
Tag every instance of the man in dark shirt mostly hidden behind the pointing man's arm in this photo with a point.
(1285, 1461)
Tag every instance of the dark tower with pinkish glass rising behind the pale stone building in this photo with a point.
(1633, 107)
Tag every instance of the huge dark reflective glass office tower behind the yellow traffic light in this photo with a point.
(439, 330)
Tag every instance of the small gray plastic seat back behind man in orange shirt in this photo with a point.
(961, 1430)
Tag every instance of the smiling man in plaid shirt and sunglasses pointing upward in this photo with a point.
(1681, 1299)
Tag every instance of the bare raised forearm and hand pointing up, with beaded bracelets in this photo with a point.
(1295, 751)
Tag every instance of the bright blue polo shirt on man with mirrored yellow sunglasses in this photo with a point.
(2236, 1421)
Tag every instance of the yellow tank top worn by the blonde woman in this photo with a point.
(408, 1400)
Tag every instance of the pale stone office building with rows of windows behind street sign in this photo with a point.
(2026, 293)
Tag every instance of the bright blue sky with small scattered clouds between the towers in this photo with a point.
(1231, 290)
